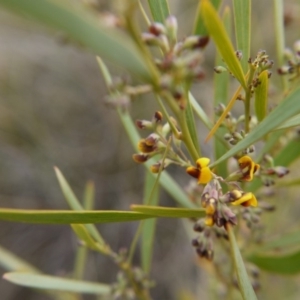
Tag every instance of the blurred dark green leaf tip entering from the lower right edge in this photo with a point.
(287, 264)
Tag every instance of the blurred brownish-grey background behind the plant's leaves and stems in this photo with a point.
(53, 113)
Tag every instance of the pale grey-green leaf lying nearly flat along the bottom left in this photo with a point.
(56, 283)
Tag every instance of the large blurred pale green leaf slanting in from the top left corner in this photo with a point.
(84, 27)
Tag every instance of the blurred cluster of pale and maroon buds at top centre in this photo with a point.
(180, 61)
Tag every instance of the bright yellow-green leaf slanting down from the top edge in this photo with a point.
(217, 30)
